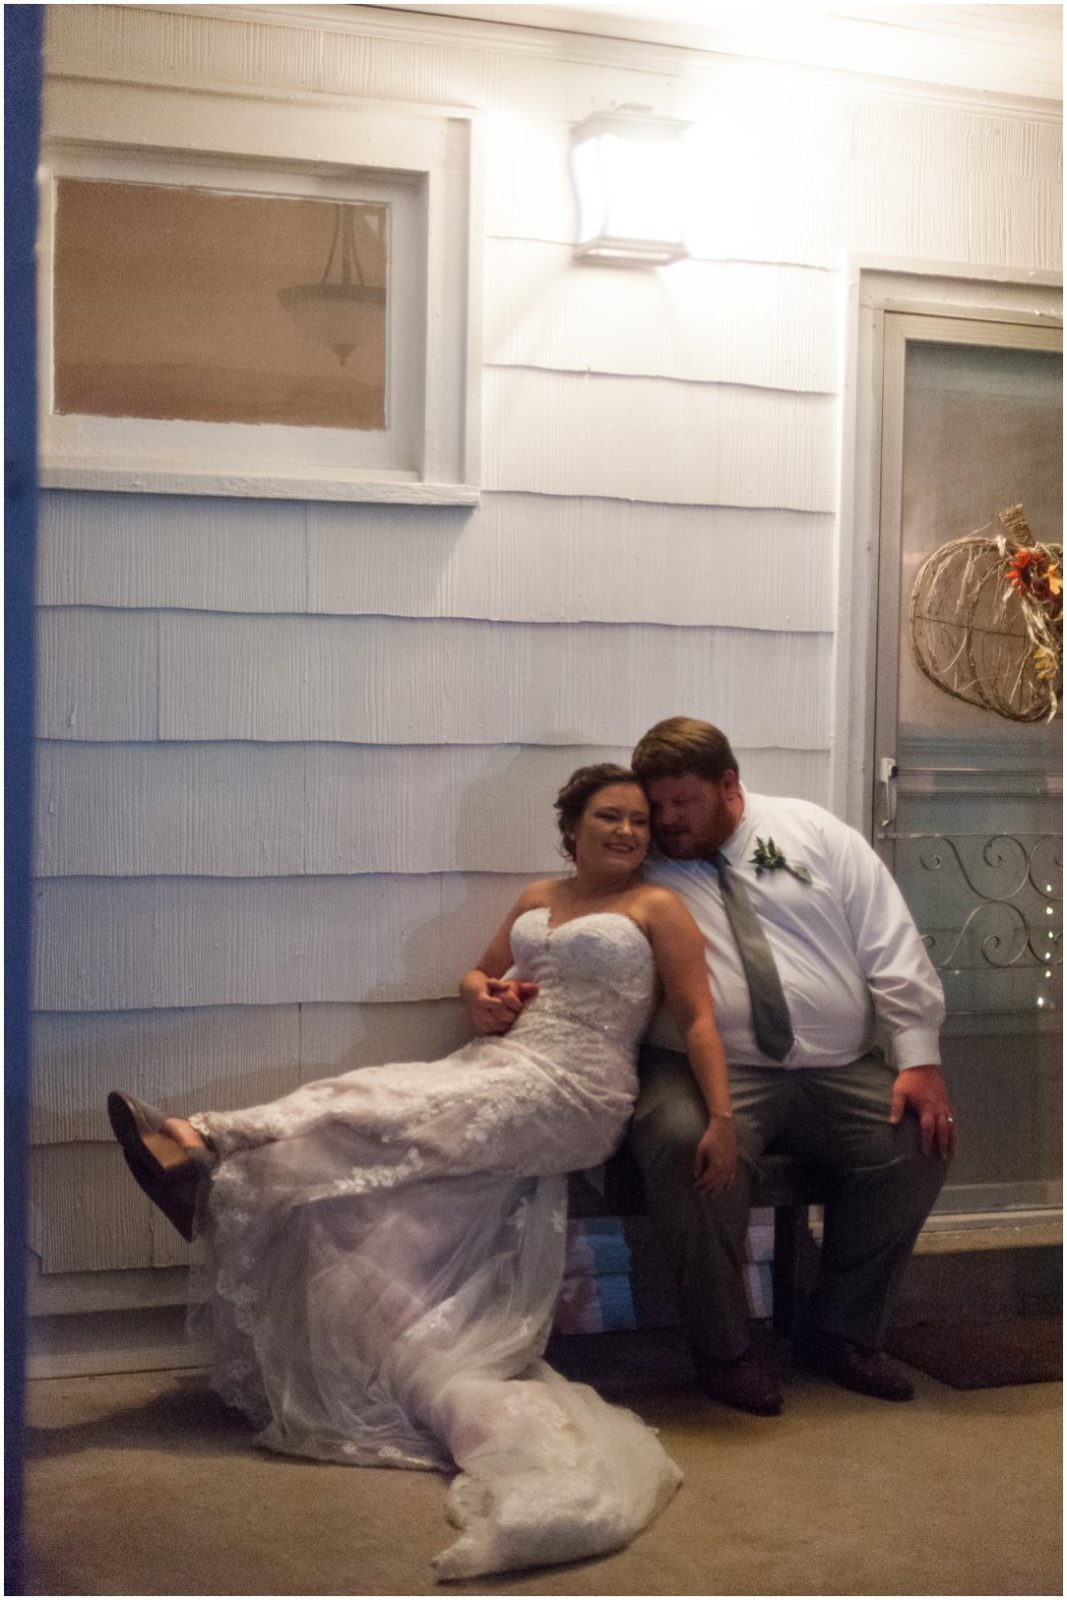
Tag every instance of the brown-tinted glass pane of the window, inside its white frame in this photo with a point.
(199, 306)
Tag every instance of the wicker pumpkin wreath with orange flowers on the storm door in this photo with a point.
(988, 620)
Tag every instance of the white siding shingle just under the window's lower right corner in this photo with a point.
(578, 559)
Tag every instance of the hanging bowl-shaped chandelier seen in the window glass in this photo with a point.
(343, 310)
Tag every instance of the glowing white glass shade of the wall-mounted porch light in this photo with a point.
(629, 180)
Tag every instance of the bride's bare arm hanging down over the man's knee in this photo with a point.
(682, 966)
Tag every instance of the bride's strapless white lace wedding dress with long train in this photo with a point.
(383, 1252)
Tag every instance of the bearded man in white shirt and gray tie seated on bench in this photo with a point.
(829, 1012)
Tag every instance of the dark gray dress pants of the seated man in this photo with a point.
(884, 1190)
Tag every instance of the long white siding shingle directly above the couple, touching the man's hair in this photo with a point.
(388, 681)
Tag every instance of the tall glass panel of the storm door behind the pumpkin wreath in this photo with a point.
(977, 838)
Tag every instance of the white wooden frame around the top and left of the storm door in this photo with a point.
(874, 287)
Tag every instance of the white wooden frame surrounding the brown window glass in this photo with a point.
(422, 162)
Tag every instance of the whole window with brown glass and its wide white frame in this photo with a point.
(236, 318)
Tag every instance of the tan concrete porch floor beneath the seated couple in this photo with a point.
(146, 1484)
